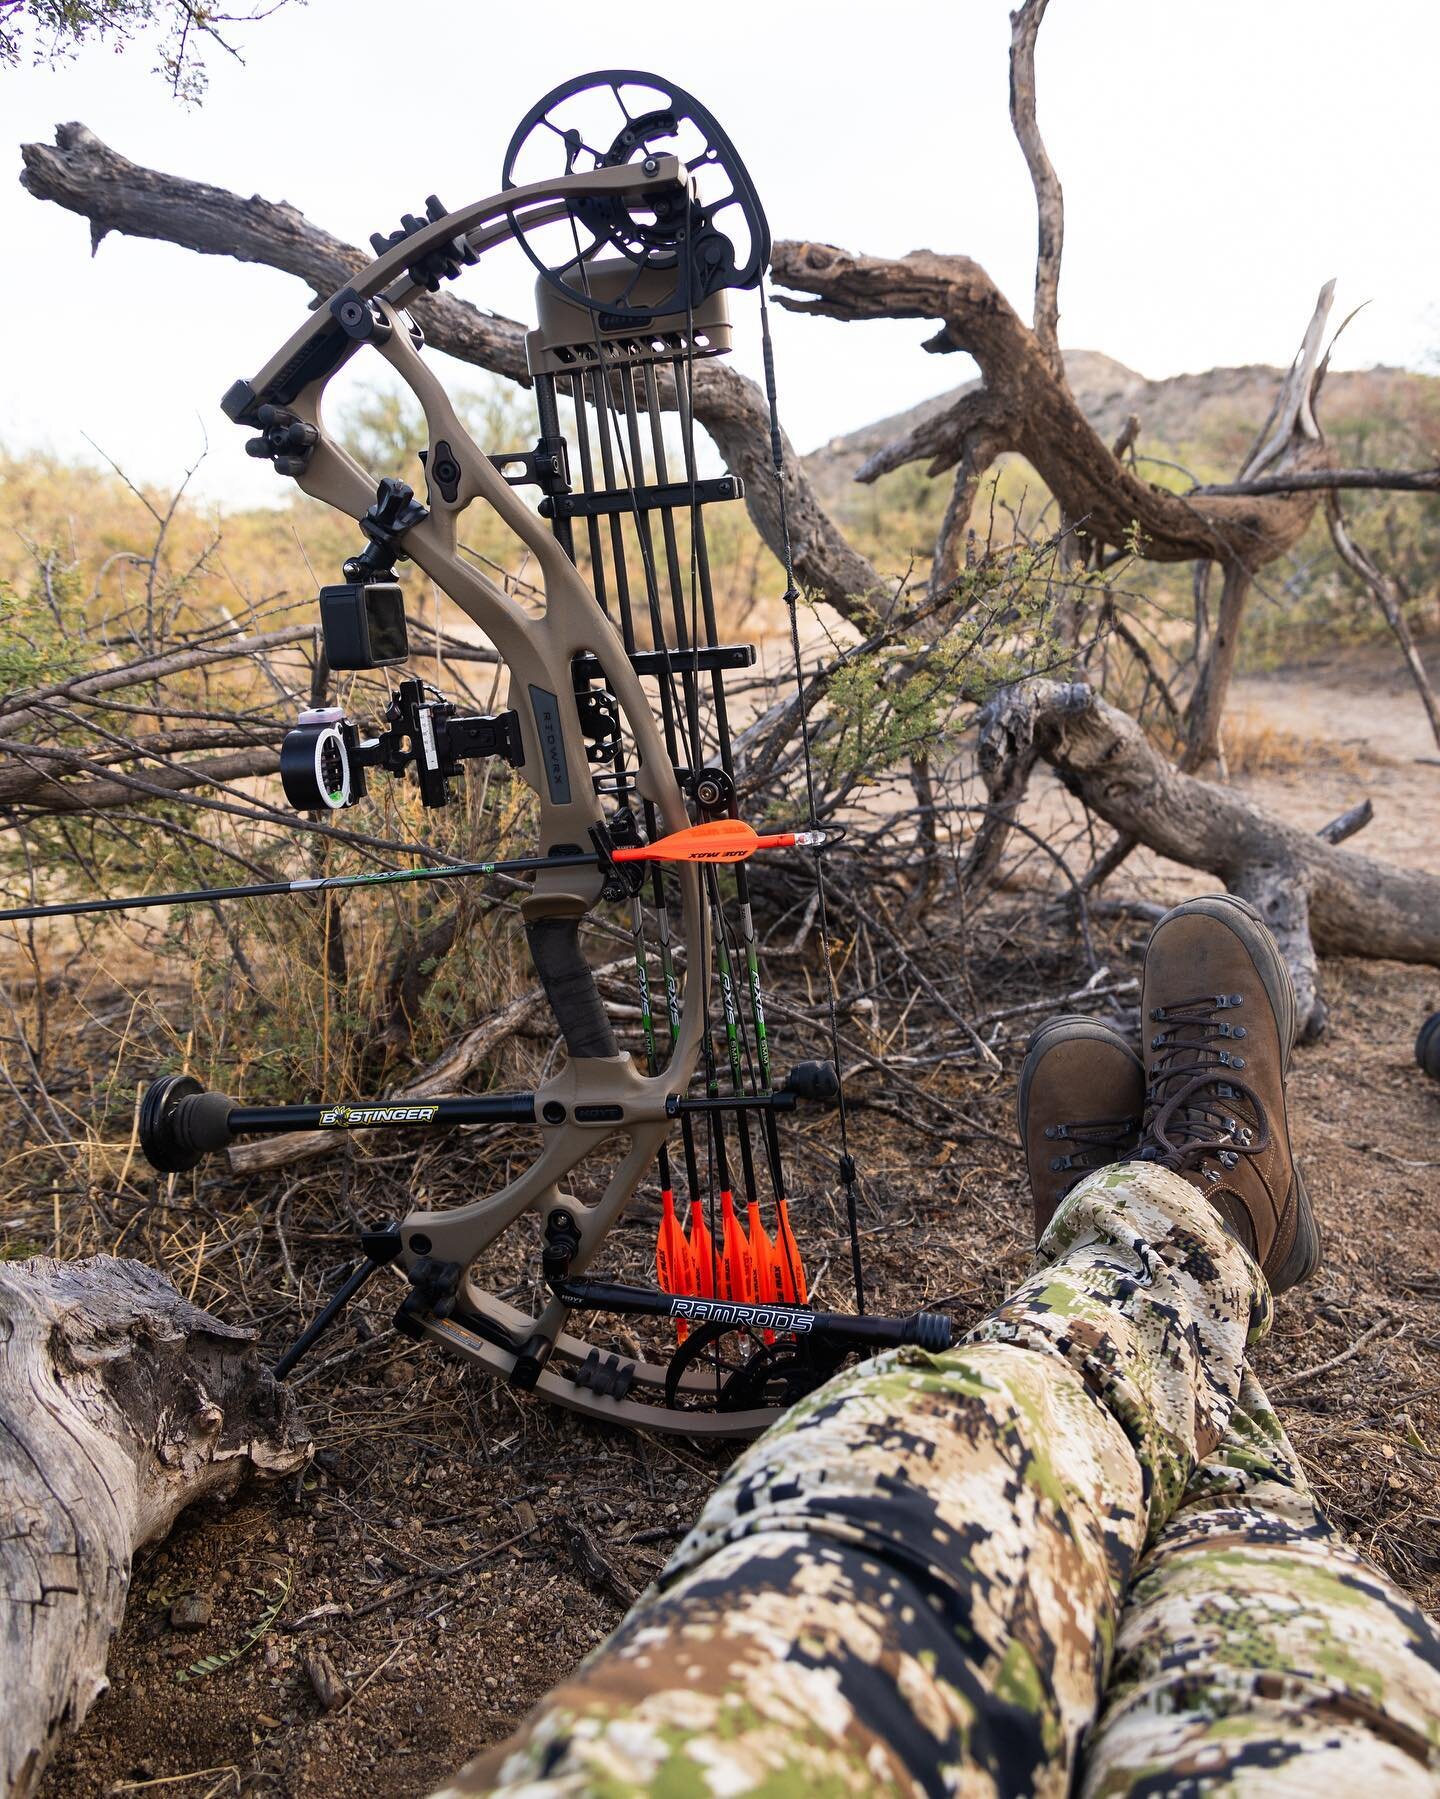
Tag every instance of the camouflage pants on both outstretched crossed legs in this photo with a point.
(1077, 1552)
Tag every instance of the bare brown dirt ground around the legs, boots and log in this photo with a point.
(454, 1548)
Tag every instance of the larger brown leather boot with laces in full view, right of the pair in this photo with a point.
(1219, 1003)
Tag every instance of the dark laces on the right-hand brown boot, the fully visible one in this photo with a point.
(1200, 1109)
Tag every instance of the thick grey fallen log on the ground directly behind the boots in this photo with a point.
(1313, 895)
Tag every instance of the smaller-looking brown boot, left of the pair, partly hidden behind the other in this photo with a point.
(1081, 1104)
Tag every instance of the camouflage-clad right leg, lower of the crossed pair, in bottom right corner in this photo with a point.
(1259, 1654)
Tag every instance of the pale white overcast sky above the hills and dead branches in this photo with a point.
(1219, 165)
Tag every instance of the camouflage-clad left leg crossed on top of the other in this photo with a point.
(912, 1584)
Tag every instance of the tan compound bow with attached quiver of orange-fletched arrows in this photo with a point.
(638, 231)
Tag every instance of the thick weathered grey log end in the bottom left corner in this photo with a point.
(120, 1406)
